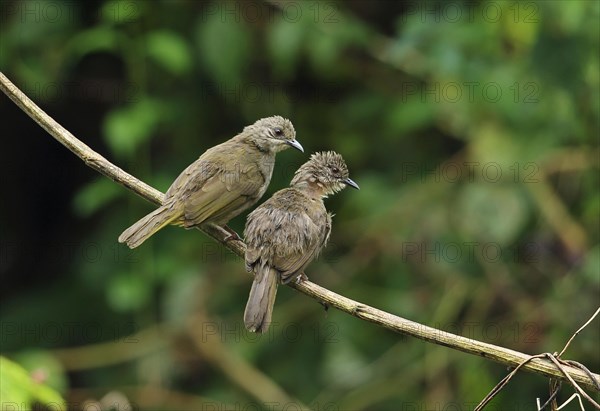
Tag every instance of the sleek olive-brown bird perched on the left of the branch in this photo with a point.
(223, 182)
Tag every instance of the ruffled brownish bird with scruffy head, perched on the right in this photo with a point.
(285, 233)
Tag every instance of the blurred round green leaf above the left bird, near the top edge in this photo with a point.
(170, 50)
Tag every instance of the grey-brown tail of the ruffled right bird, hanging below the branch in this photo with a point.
(259, 308)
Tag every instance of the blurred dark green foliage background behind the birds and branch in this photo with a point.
(471, 127)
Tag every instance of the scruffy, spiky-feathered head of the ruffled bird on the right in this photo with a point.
(325, 171)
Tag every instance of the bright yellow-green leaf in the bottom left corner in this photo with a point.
(18, 387)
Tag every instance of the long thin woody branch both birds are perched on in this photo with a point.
(362, 311)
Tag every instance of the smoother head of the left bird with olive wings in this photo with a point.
(273, 134)
